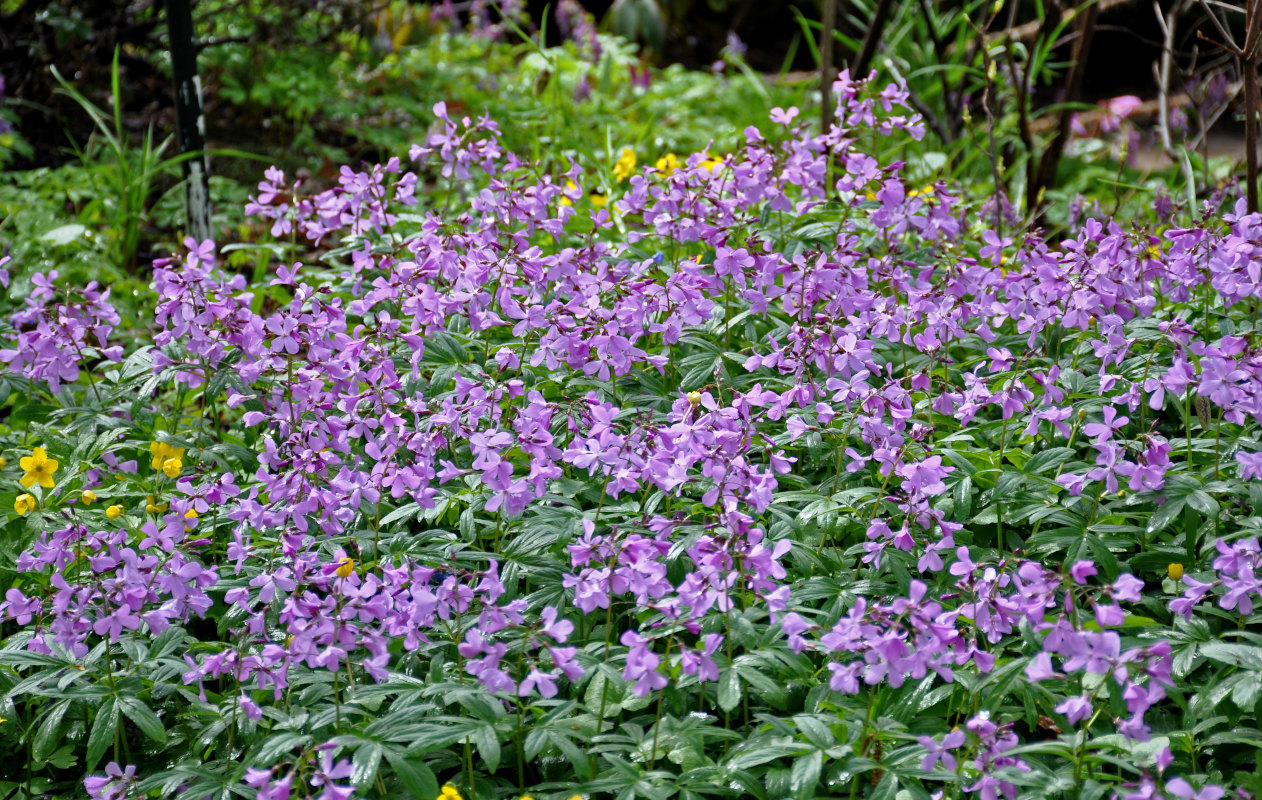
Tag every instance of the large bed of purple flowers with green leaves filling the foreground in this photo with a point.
(775, 471)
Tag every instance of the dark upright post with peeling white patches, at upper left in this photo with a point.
(190, 122)
